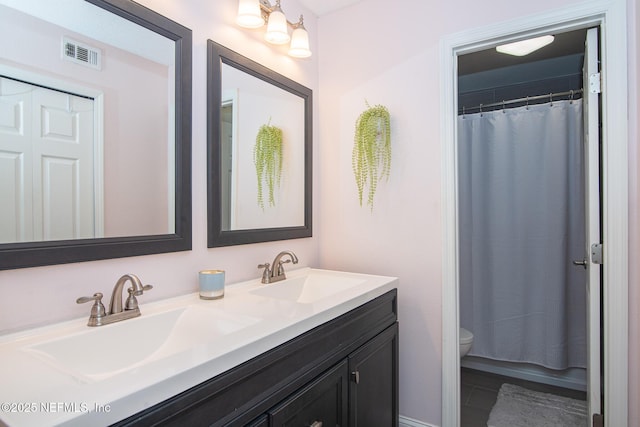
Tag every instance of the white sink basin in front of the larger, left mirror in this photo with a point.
(105, 351)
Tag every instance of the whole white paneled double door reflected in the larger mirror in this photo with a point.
(52, 147)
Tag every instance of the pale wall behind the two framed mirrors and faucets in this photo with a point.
(37, 296)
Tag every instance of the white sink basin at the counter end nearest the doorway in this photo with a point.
(309, 288)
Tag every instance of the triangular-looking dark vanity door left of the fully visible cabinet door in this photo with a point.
(323, 403)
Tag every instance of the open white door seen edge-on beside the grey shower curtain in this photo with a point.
(591, 85)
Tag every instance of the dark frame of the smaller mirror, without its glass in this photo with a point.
(216, 56)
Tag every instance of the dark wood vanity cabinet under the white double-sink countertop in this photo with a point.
(341, 373)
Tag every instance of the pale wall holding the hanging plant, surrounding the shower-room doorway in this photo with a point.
(390, 55)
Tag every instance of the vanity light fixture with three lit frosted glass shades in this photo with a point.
(255, 13)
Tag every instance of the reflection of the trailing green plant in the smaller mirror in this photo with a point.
(267, 157)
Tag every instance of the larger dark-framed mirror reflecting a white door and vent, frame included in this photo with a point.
(95, 132)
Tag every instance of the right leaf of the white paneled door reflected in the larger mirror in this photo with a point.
(63, 164)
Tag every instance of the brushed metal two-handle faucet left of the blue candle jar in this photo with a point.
(100, 317)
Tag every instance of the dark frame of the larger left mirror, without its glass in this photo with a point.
(32, 254)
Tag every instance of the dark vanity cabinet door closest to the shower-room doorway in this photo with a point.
(373, 390)
